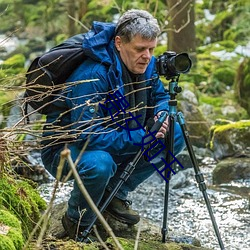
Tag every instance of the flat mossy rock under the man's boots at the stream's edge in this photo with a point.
(149, 238)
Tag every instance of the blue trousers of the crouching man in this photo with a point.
(100, 170)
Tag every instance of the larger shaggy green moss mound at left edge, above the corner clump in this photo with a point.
(21, 199)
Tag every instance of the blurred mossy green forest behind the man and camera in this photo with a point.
(214, 33)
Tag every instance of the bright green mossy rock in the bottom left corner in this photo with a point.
(11, 237)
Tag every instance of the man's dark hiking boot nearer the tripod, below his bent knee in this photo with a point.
(121, 211)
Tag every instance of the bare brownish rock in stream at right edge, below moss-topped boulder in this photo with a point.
(231, 169)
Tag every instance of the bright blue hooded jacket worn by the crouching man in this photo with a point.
(86, 118)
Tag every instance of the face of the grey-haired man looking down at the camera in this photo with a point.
(137, 53)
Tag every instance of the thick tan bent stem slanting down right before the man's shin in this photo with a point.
(66, 154)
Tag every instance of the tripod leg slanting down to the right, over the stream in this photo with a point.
(199, 177)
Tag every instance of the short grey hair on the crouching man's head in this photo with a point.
(137, 22)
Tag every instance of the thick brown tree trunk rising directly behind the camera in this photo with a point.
(181, 27)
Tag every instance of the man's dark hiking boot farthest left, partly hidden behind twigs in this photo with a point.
(75, 231)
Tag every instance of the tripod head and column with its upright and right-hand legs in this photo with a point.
(173, 90)
